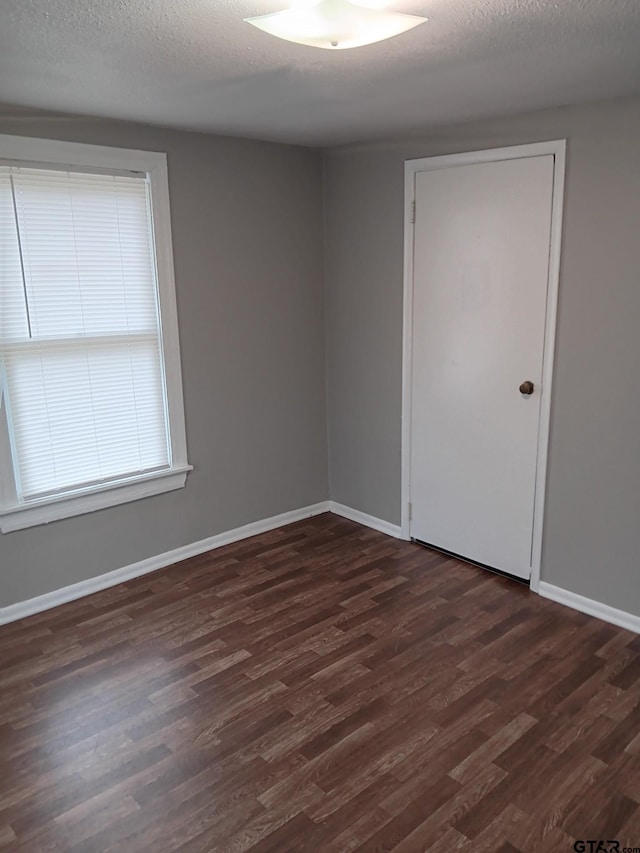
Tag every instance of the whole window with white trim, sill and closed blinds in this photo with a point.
(90, 392)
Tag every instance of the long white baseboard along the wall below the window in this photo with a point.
(161, 561)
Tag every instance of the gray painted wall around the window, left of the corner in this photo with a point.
(247, 233)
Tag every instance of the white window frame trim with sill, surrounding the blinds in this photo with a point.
(16, 514)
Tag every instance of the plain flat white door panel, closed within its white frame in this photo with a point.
(481, 270)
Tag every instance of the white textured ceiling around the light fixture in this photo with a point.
(194, 64)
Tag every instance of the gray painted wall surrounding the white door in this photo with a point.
(593, 500)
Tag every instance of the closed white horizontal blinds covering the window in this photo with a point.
(80, 344)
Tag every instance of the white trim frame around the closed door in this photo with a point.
(411, 167)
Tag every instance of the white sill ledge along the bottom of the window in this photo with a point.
(66, 506)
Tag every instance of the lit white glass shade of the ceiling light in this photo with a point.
(334, 24)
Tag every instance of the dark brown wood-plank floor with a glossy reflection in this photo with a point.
(318, 688)
